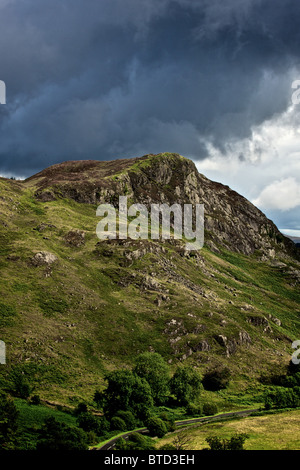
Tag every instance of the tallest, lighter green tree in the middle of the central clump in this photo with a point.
(153, 368)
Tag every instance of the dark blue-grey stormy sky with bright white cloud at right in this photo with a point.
(105, 79)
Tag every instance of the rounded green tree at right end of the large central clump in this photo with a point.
(186, 384)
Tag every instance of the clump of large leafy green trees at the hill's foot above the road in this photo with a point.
(148, 384)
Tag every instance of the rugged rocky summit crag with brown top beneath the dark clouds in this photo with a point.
(231, 220)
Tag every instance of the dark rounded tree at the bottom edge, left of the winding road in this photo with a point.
(55, 436)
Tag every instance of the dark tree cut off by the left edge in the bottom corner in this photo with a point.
(8, 423)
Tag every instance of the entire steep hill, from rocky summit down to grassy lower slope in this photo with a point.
(73, 307)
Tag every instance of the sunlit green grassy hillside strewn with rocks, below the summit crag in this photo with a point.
(93, 306)
